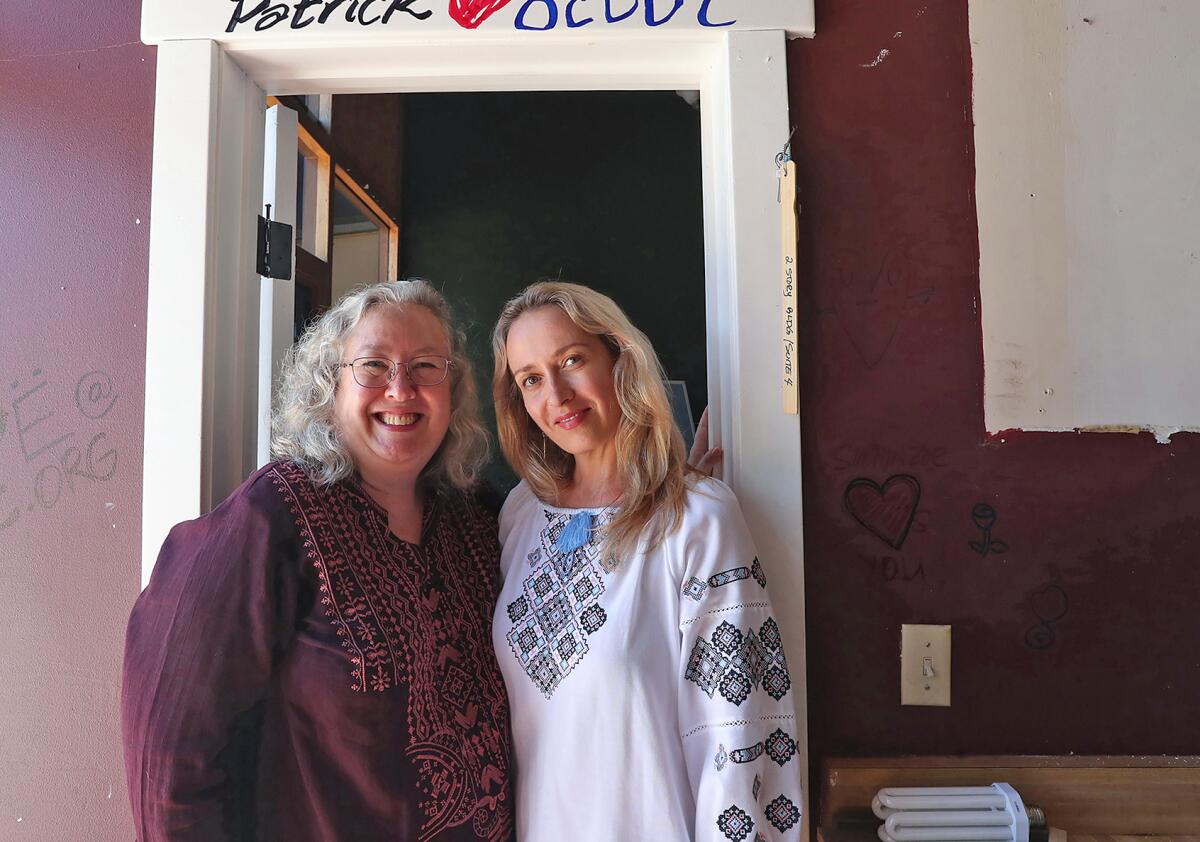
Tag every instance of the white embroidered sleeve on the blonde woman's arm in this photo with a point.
(737, 718)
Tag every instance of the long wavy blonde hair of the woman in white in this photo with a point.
(651, 459)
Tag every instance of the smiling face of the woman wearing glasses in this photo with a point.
(393, 432)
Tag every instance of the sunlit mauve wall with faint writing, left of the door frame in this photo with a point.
(76, 121)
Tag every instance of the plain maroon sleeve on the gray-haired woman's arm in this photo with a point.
(200, 652)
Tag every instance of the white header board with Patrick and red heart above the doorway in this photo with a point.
(281, 23)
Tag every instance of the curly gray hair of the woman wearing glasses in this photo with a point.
(303, 422)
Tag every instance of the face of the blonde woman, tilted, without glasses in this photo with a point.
(565, 376)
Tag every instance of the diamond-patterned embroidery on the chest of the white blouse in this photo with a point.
(559, 608)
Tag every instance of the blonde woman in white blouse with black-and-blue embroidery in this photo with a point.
(647, 679)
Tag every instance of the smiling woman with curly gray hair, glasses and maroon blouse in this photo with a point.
(311, 660)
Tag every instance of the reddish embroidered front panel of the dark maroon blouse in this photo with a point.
(404, 622)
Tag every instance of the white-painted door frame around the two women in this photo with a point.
(203, 322)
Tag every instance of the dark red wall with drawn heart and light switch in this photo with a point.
(1102, 531)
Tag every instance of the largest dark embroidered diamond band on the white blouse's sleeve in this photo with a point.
(737, 663)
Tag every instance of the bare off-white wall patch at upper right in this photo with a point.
(1088, 124)
